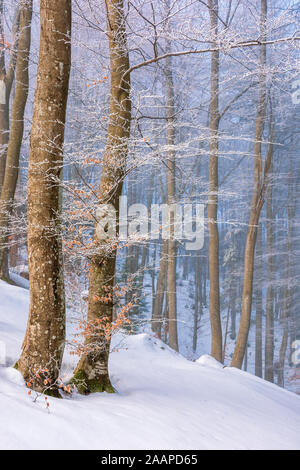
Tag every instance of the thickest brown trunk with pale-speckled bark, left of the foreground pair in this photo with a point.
(45, 335)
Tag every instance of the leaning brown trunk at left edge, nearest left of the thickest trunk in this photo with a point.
(17, 125)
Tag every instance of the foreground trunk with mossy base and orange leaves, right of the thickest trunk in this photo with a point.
(92, 374)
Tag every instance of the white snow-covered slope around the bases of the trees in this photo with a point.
(163, 402)
